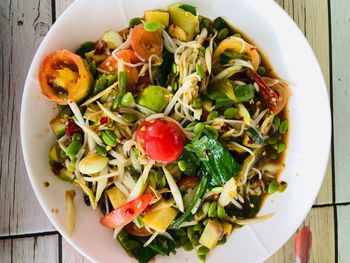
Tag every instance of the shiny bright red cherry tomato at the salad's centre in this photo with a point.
(162, 140)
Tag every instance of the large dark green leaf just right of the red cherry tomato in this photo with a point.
(219, 165)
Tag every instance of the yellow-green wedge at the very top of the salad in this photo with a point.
(185, 19)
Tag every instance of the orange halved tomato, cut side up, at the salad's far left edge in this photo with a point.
(63, 77)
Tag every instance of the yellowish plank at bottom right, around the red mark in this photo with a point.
(321, 222)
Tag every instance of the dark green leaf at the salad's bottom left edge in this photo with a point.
(135, 248)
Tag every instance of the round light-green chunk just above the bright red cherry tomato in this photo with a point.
(155, 98)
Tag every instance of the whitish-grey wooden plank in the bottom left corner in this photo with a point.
(42, 249)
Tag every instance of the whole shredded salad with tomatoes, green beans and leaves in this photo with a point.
(174, 128)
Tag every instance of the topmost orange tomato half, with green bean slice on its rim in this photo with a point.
(146, 43)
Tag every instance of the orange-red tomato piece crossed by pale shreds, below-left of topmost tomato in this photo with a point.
(111, 64)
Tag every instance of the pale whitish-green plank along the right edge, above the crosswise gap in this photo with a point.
(340, 18)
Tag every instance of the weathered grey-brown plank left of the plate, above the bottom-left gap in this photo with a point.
(23, 25)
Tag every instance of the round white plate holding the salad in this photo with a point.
(307, 155)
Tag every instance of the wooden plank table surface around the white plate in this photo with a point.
(26, 235)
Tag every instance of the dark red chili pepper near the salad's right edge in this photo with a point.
(268, 95)
